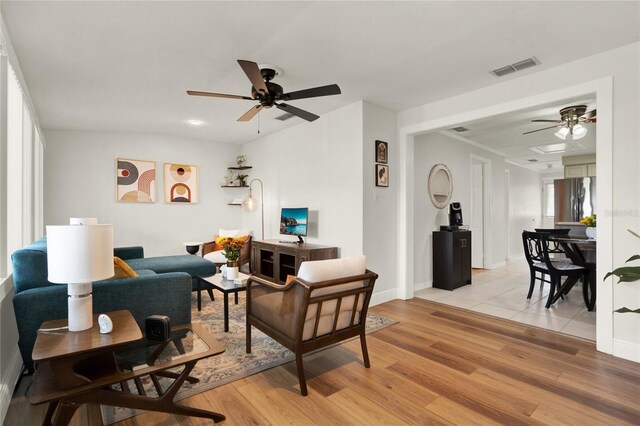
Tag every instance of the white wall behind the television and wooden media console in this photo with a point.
(316, 165)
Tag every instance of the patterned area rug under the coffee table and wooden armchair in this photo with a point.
(234, 363)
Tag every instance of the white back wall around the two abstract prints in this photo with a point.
(80, 179)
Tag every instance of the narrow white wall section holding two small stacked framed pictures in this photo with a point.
(380, 203)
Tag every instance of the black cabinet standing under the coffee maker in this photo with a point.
(451, 259)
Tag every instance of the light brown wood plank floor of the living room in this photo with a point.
(439, 365)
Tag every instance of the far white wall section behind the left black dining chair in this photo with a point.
(524, 206)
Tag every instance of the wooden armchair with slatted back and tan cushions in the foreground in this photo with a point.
(326, 303)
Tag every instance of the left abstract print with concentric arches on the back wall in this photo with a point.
(136, 181)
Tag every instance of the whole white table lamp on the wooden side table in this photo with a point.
(77, 255)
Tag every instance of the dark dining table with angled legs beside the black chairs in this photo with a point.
(577, 250)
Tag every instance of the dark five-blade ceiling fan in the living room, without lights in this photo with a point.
(269, 94)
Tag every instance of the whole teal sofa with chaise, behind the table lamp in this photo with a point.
(163, 287)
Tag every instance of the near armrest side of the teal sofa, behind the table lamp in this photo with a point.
(164, 294)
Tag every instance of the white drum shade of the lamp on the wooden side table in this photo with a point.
(79, 253)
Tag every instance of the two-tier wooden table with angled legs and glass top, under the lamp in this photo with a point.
(74, 368)
